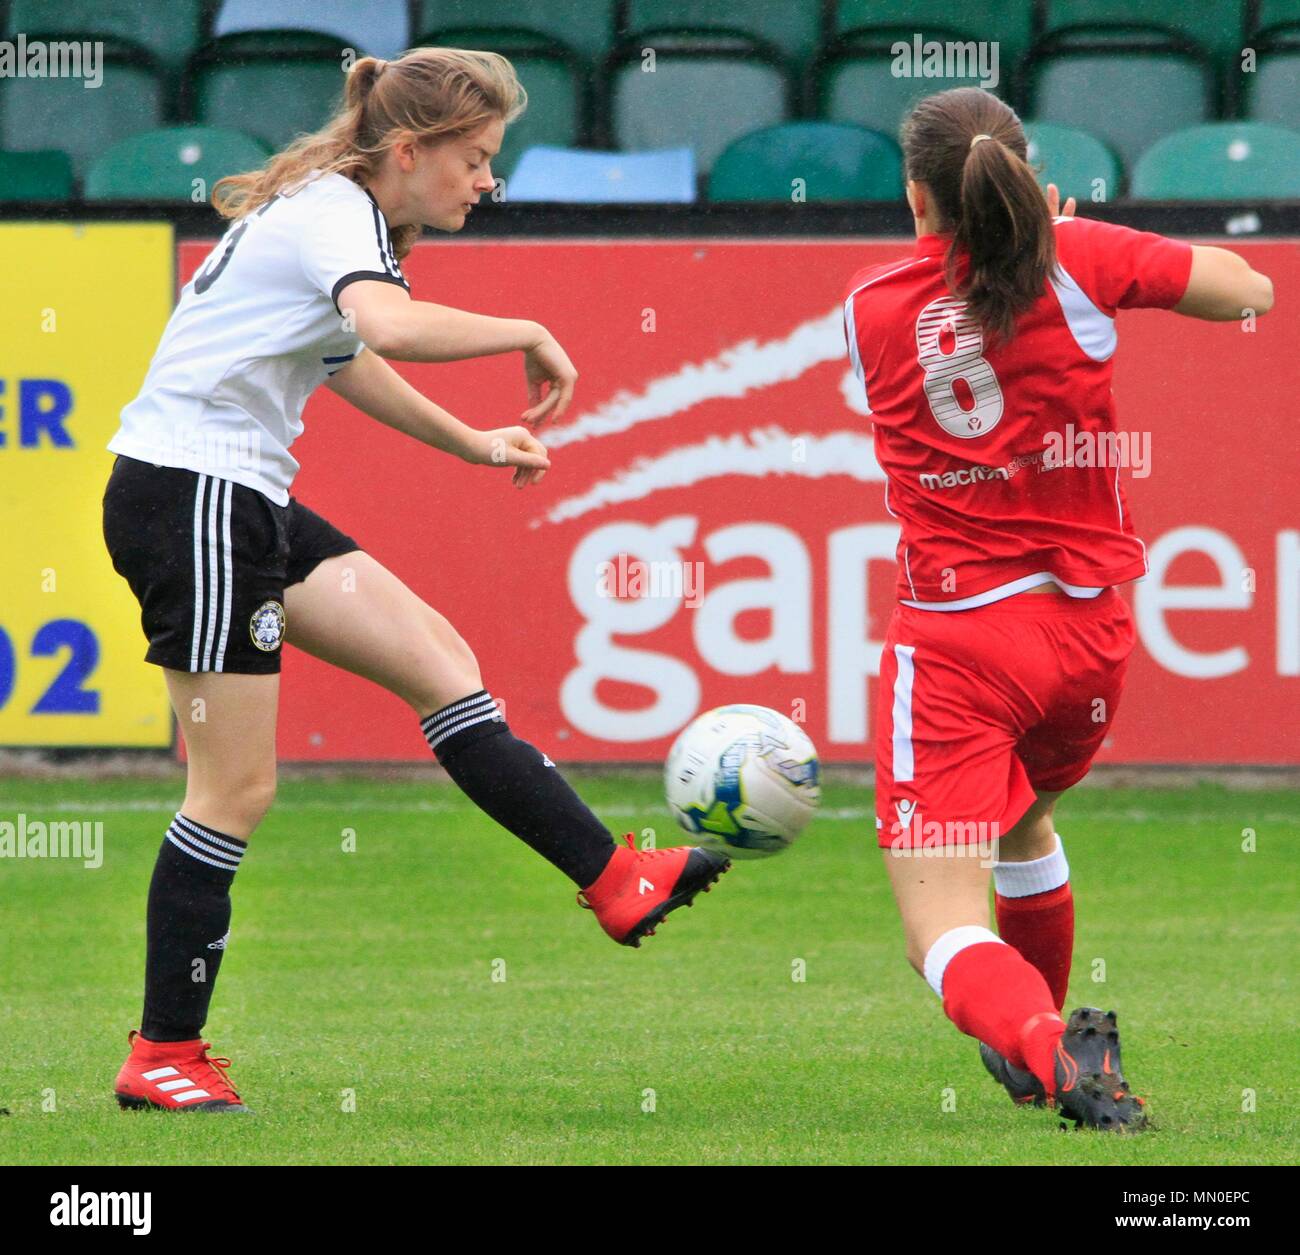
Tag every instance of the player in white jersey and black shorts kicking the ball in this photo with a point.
(307, 289)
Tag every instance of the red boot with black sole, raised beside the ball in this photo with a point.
(639, 888)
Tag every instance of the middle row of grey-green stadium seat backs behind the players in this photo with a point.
(274, 85)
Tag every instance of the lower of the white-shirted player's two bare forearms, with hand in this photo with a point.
(376, 390)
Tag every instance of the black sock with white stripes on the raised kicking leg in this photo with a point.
(518, 786)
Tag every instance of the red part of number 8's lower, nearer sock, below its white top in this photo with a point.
(991, 993)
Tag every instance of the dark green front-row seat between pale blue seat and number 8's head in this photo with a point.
(835, 162)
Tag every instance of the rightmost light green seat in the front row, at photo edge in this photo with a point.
(1221, 162)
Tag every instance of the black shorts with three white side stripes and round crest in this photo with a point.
(209, 561)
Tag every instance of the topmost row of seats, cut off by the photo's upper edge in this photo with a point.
(174, 31)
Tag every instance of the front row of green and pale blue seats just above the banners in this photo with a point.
(794, 162)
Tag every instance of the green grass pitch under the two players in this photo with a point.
(367, 981)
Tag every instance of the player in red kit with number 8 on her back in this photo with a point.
(1006, 656)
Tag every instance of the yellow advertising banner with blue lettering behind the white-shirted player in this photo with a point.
(83, 313)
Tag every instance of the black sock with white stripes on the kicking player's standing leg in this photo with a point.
(189, 920)
